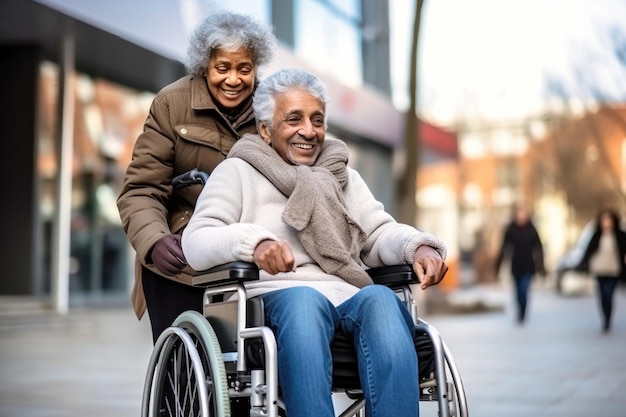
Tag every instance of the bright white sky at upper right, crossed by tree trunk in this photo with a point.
(489, 58)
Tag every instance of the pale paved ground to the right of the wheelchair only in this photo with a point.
(557, 364)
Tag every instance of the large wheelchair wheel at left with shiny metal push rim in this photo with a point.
(186, 376)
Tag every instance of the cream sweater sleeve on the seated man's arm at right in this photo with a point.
(388, 242)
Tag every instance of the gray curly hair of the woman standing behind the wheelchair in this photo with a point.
(229, 31)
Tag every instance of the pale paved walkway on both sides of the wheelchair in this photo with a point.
(92, 362)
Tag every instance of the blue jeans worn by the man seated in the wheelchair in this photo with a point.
(304, 322)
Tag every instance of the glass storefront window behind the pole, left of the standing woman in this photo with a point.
(108, 119)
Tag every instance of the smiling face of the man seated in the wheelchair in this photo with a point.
(298, 127)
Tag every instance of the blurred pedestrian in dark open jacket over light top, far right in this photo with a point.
(605, 259)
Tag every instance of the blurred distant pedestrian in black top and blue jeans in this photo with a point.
(522, 246)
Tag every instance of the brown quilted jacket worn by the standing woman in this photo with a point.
(183, 131)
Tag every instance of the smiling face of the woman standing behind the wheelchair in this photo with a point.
(230, 77)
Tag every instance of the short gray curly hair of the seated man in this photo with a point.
(264, 101)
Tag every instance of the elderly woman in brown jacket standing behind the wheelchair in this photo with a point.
(193, 123)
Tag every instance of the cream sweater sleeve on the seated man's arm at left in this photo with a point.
(214, 235)
